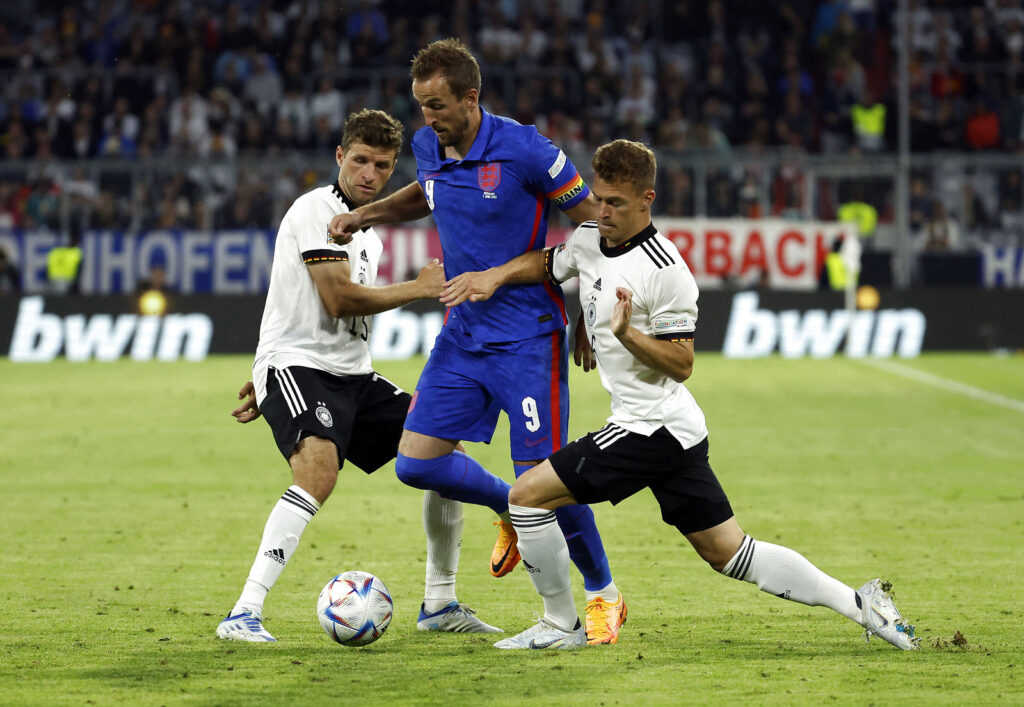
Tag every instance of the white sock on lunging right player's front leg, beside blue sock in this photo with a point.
(546, 558)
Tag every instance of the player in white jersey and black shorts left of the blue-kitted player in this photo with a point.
(315, 383)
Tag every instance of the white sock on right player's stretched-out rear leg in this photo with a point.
(789, 575)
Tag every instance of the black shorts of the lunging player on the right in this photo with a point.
(612, 465)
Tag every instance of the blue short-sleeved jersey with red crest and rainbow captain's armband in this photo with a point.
(490, 209)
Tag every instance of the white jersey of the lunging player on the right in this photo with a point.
(665, 306)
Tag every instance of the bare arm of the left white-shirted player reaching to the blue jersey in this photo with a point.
(344, 299)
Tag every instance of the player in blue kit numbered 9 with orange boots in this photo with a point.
(489, 183)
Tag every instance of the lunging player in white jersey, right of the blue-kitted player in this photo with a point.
(641, 306)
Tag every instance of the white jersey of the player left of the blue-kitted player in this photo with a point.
(297, 329)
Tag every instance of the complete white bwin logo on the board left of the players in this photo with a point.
(40, 337)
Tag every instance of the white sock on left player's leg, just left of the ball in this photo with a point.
(281, 536)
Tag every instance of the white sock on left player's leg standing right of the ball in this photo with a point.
(443, 521)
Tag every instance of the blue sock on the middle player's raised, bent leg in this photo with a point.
(455, 476)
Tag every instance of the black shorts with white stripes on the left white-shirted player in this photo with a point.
(362, 415)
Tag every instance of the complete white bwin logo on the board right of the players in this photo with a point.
(753, 332)
